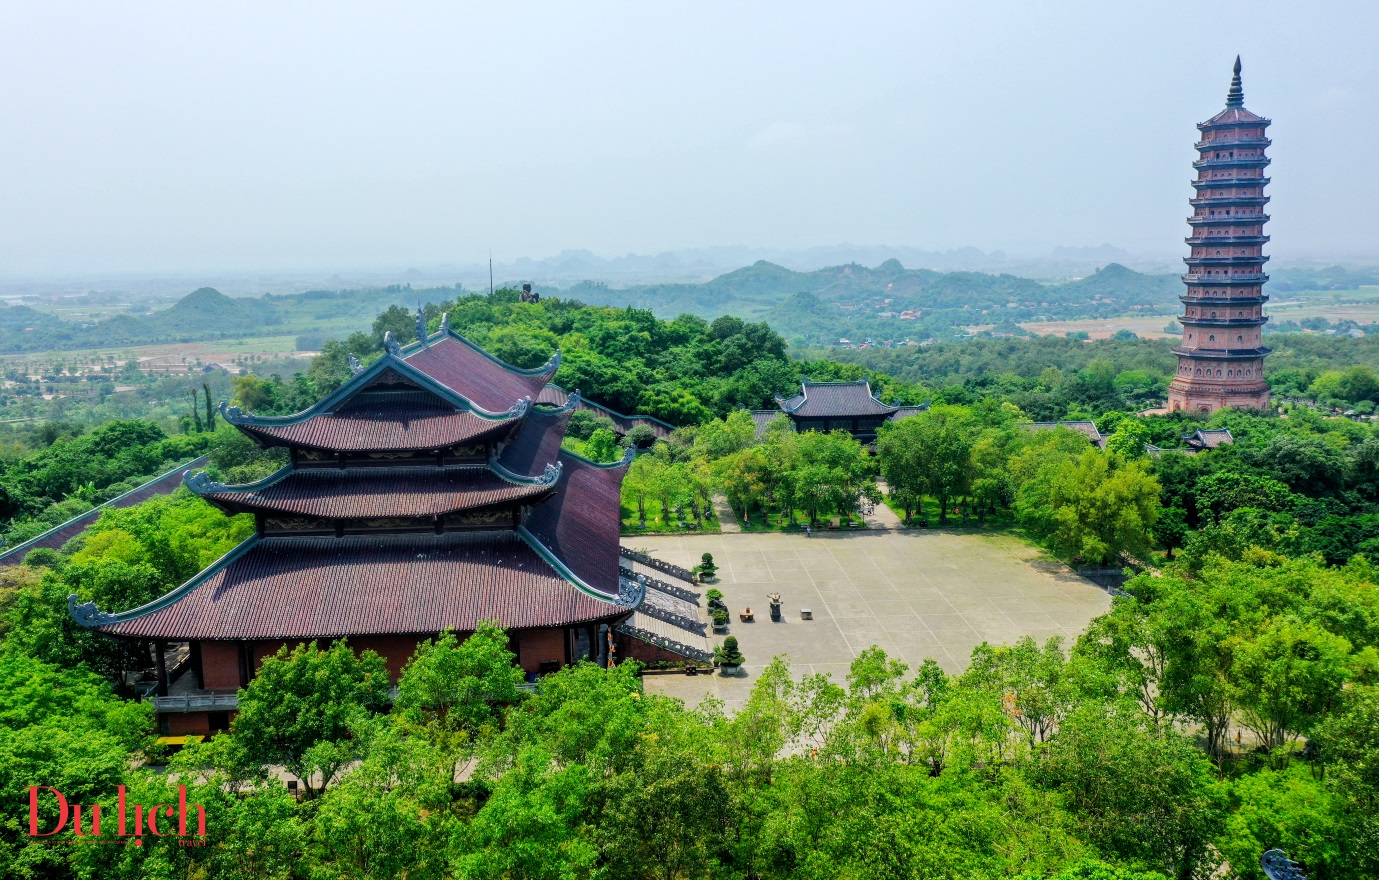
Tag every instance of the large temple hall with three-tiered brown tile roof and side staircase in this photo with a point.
(428, 494)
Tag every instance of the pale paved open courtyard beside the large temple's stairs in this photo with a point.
(916, 594)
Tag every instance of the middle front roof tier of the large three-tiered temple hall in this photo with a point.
(370, 493)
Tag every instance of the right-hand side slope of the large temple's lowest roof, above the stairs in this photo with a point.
(583, 522)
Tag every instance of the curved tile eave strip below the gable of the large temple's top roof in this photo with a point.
(385, 427)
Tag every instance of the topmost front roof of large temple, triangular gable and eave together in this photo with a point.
(391, 406)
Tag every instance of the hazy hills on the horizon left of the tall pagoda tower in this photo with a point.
(817, 307)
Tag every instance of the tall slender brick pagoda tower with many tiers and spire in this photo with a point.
(1221, 362)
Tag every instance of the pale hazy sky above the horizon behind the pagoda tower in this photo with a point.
(197, 136)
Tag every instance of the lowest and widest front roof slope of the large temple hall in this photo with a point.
(326, 588)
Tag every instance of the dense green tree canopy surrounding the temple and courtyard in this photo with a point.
(1109, 758)
